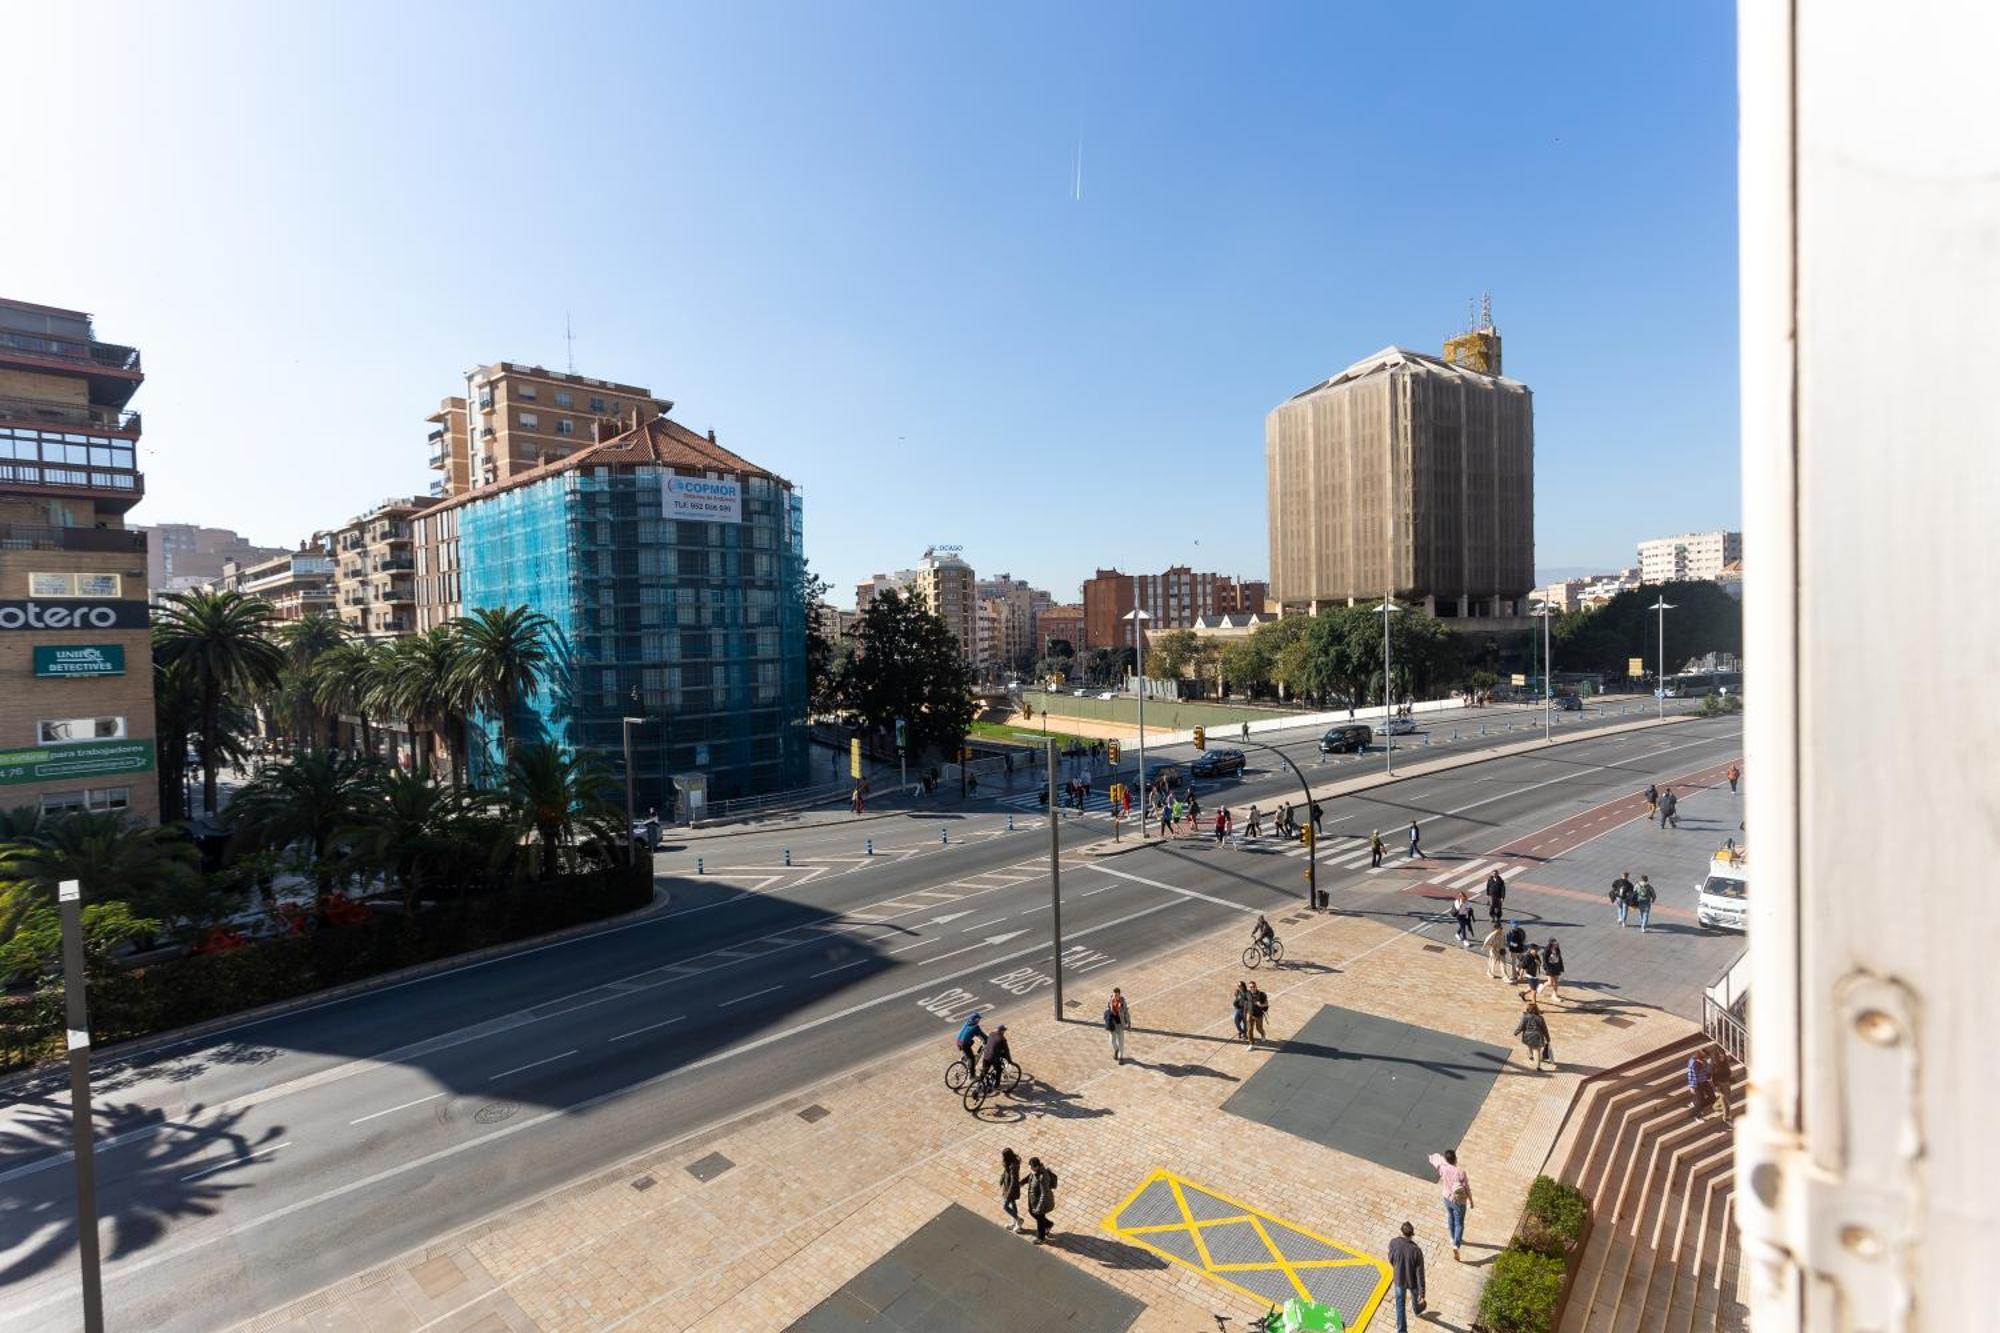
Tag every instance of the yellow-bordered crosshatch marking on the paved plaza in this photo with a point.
(1257, 1254)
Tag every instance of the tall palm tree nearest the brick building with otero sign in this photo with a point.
(223, 641)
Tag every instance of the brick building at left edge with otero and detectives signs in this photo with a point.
(77, 728)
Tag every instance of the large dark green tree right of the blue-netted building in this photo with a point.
(907, 665)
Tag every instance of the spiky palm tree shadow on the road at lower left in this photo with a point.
(153, 1172)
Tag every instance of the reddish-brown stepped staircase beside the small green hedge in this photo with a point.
(1663, 1250)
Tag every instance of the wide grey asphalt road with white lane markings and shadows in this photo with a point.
(261, 1164)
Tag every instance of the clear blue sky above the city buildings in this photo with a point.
(847, 239)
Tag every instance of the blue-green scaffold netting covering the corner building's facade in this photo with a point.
(699, 627)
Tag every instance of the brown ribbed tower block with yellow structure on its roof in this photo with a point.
(1407, 475)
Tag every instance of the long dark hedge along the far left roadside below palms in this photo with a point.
(165, 996)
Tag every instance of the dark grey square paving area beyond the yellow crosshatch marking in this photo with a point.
(1371, 1088)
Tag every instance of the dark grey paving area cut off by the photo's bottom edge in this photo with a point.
(963, 1272)
